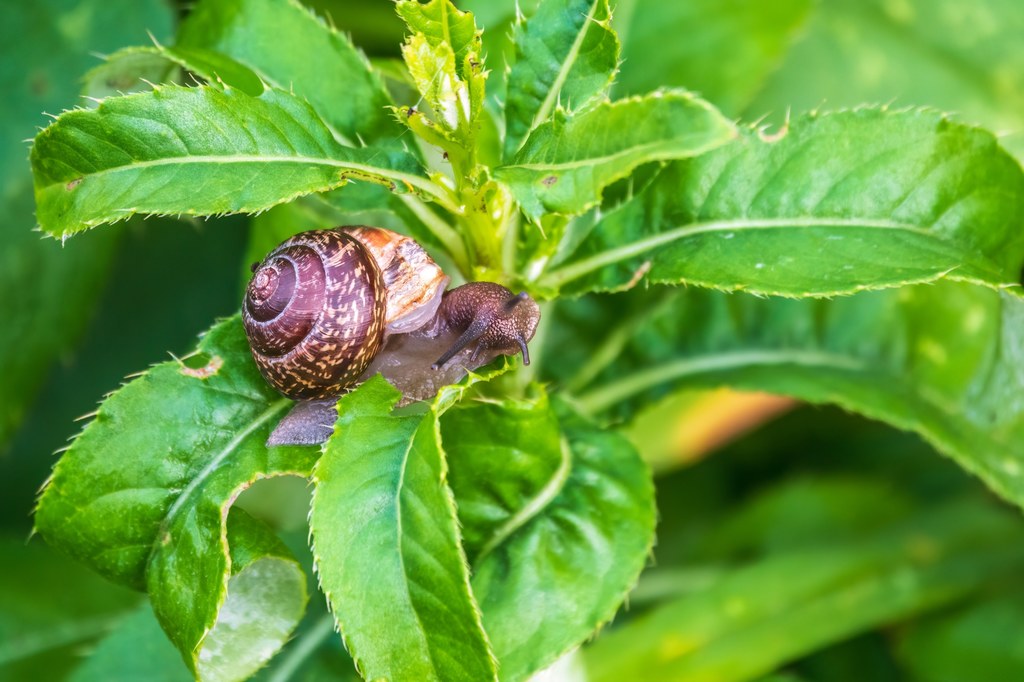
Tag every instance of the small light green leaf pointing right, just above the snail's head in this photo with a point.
(566, 163)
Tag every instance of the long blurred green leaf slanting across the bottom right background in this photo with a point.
(776, 611)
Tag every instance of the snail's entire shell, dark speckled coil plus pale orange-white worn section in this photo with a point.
(318, 308)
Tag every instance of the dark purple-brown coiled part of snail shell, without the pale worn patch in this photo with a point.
(315, 314)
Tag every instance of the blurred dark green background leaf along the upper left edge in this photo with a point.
(48, 47)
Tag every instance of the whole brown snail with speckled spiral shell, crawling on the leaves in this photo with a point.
(328, 309)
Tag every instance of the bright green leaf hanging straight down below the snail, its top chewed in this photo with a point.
(403, 601)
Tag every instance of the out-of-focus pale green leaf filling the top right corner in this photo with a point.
(964, 58)
